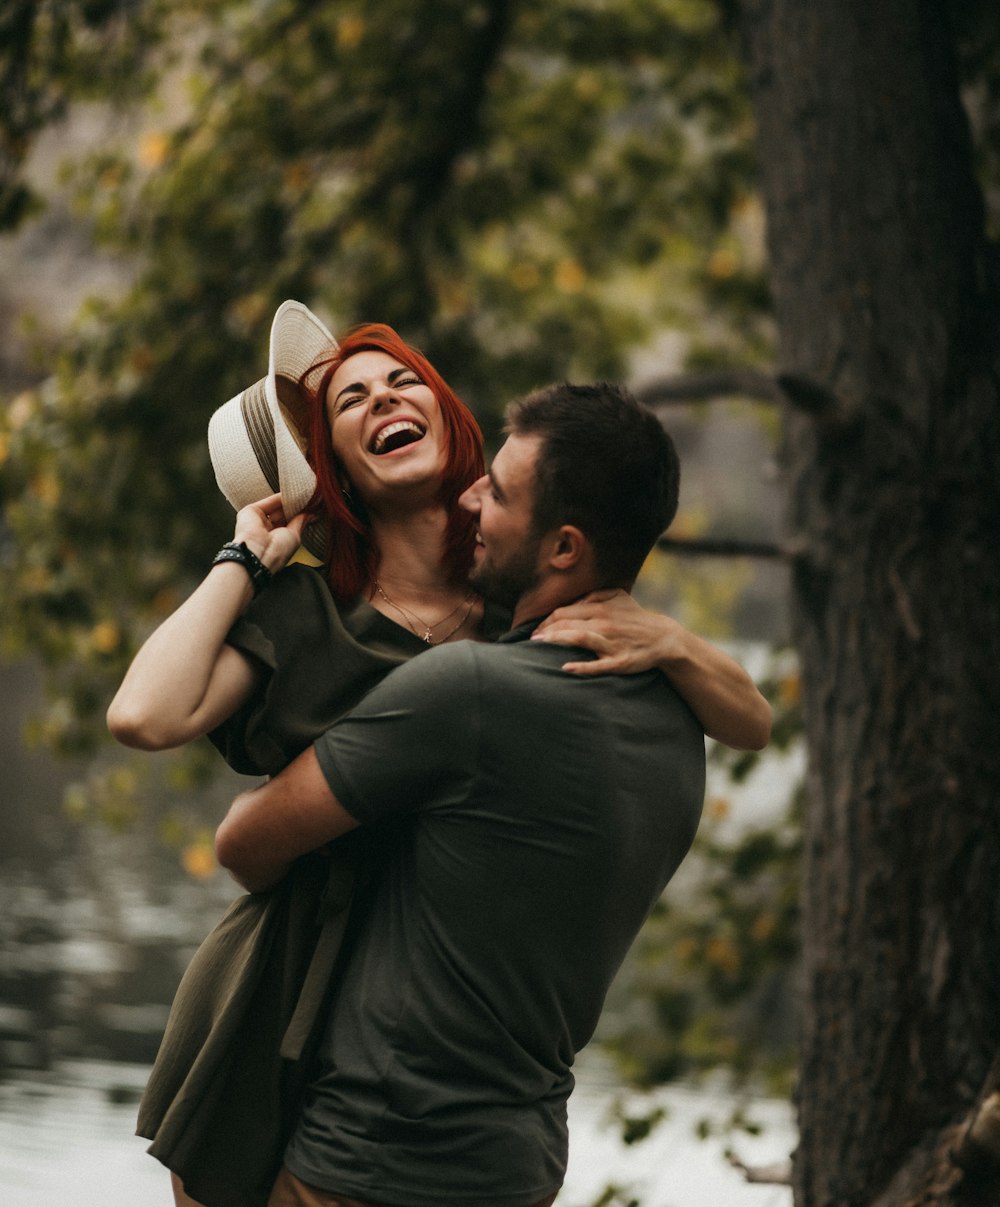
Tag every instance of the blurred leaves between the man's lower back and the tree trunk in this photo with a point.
(711, 983)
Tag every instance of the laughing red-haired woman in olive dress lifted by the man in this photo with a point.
(265, 672)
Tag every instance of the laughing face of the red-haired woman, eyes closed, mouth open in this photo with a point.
(388, 429)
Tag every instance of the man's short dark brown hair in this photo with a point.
(606, 465)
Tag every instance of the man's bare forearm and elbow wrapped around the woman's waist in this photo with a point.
(270, 827)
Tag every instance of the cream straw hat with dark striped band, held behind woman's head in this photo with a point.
(258, 441)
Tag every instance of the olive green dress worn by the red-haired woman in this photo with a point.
(237, 1054)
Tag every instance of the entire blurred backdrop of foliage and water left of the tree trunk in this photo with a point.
(527, 193)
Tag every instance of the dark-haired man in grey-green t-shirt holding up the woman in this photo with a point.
(530, 820)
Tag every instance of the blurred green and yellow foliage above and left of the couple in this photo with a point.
(525, 191)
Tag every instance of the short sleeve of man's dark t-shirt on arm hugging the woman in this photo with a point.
(412, 744)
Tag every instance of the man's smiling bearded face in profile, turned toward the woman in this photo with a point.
(506, 564)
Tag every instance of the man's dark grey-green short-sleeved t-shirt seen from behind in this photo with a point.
(534, 820)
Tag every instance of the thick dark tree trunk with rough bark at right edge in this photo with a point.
(880, 283)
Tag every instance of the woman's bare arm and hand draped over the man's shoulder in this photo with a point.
(628, 639)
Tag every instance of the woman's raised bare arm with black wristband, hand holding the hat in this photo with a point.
(185, 680)
